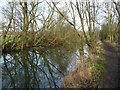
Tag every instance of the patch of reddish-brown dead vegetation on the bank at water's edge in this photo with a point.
(81, 77)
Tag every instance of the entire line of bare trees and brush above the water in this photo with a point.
(75, 22)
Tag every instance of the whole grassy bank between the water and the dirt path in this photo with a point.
(88, 73)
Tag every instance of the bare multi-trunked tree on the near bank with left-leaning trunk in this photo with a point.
(87, 13)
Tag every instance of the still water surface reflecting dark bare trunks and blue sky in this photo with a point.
(37, 68)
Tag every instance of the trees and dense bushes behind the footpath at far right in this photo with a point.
(110, 29)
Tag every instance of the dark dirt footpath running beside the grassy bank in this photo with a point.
(111, 77)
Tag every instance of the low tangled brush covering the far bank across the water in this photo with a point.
(44, 39)
